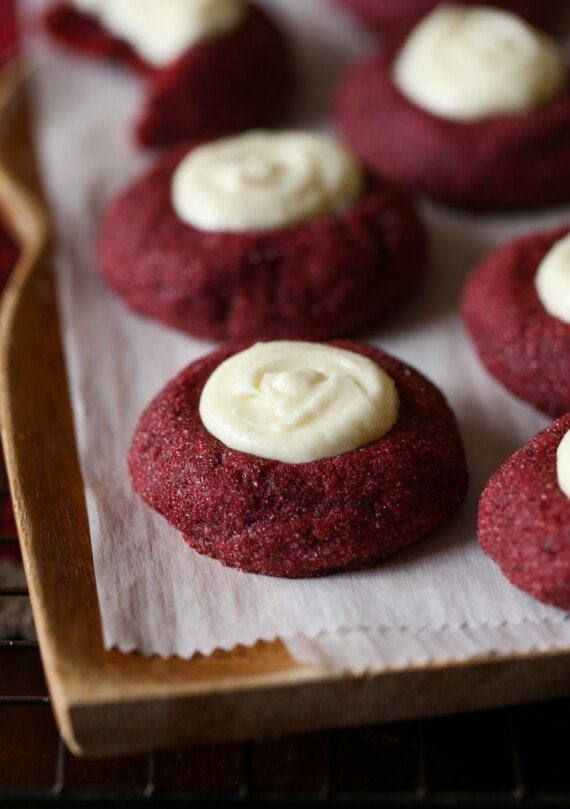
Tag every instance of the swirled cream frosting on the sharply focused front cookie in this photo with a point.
(295, 401)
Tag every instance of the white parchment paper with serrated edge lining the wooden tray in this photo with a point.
(440, 601)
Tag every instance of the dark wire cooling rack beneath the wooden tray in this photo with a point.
(508, 757)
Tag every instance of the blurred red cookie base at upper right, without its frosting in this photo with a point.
(506, 161)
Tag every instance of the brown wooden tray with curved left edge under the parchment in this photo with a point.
(111, 703)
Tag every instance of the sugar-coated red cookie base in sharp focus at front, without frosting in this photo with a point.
(308, 519)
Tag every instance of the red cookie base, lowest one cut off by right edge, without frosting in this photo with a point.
(524, 519)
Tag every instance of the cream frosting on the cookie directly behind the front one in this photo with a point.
(261, 180)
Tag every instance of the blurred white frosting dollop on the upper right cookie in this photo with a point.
(470, 63)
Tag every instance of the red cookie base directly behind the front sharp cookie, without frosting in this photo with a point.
(312, 281)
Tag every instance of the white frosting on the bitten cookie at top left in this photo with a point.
(162, 30)
